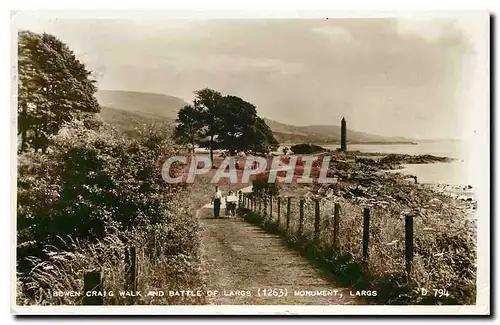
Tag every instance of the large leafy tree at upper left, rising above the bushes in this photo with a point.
(54, 88)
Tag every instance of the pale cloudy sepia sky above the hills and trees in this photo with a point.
(414, 75)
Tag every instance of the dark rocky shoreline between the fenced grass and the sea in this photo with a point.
(363, 179)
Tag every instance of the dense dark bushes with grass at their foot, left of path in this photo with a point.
(92, 194)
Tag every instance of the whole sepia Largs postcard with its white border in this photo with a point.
(211, 163)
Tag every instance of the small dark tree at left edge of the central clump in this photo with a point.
(189, 126)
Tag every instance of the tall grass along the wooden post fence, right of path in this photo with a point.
(444, 246)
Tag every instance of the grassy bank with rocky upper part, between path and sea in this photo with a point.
(444, 234)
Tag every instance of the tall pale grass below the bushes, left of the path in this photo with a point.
(158, 270)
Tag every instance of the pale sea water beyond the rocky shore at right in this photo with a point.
(457, 172)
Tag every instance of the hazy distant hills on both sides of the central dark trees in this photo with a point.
(129, 109)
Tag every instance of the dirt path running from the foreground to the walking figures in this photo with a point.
(238, 256)
